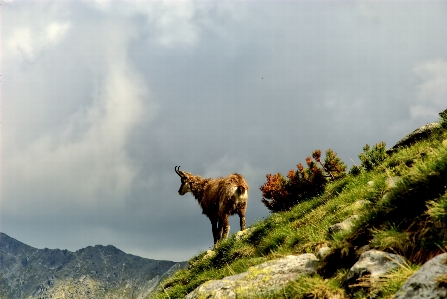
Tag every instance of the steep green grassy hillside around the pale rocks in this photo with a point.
(409, 219)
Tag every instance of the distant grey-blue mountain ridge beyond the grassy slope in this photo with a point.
(91, 272)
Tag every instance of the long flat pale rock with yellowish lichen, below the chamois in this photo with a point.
(258, 279)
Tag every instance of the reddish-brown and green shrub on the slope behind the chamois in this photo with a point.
(281, 194)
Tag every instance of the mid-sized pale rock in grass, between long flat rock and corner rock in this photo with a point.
(371, 265)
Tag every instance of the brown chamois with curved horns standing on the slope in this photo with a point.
(219, 199)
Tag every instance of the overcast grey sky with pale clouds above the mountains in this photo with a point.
(101, 99)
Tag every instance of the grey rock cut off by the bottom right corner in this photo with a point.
(423, 284)
